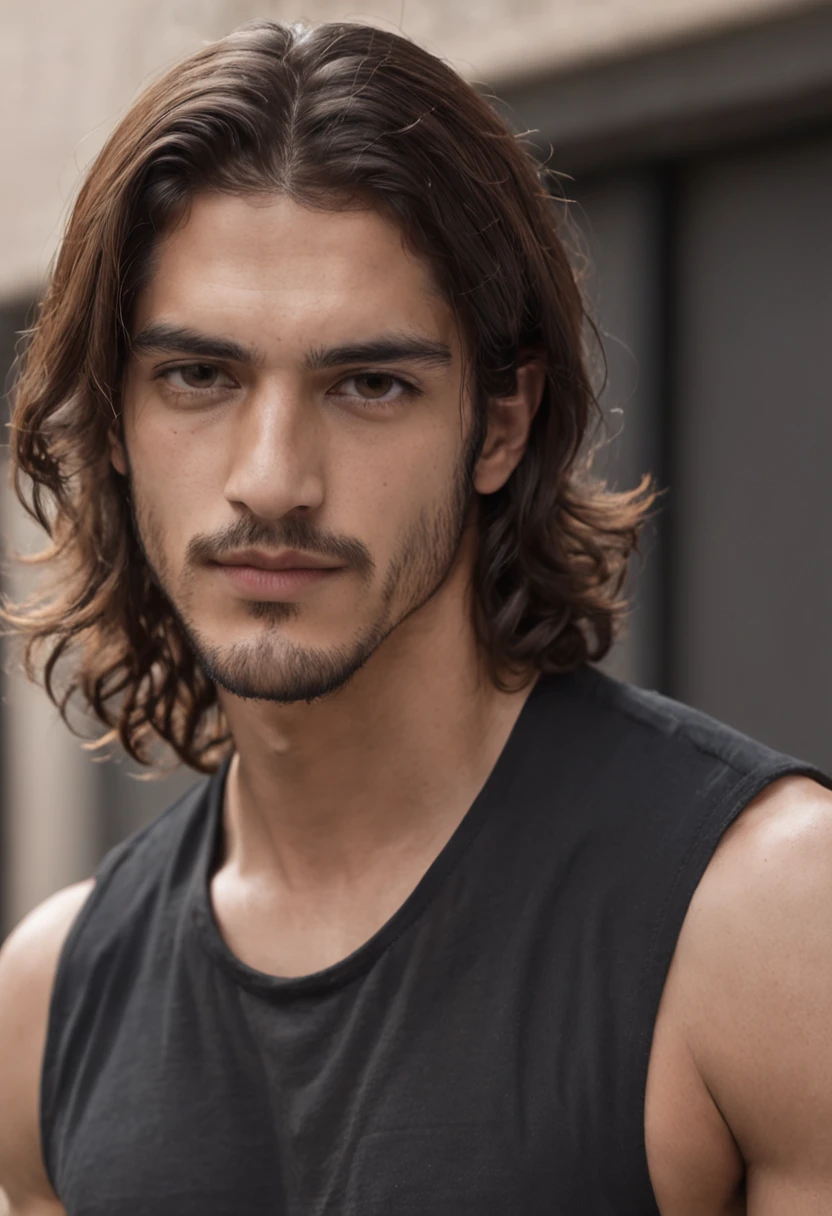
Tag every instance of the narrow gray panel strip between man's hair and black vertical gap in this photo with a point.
(621, 216)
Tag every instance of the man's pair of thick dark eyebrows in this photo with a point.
(161, 337)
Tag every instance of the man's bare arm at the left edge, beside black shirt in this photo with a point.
(27, 970)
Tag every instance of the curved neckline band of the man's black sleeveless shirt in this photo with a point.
(494, 792)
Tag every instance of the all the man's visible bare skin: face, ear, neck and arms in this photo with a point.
(374, 724)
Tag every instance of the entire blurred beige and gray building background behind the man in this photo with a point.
(698, 142)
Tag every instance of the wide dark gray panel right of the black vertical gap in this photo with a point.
(755, 444)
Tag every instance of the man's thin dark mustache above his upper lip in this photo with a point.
(294, 532)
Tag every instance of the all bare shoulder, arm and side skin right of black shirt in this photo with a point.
(743, 1052)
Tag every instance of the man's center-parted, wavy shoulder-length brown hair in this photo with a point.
(321, 115)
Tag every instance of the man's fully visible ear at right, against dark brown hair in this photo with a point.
(509, 425)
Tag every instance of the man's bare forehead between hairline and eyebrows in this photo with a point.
(288, 273)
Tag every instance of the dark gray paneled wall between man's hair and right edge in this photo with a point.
(728, 319)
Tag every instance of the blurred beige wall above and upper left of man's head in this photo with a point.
(69, 70)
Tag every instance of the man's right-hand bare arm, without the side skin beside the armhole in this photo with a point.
(752, 987)
